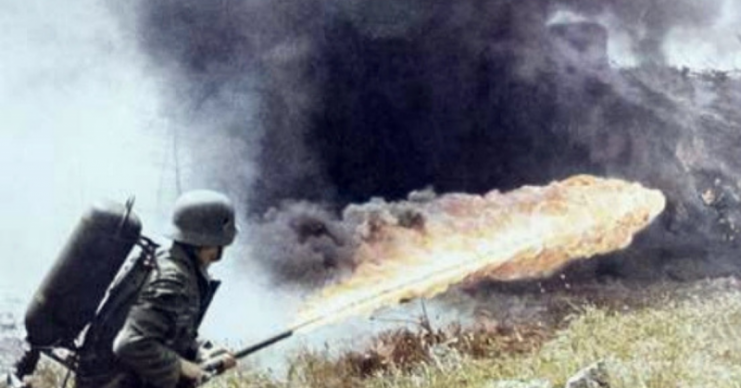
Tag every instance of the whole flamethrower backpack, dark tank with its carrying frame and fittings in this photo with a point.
(85, 297)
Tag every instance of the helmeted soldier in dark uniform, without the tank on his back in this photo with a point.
(156, 347)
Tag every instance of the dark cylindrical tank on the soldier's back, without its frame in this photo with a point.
(69, 296)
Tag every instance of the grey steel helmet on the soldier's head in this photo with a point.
(203, 218)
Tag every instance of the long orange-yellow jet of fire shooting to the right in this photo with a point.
(529, 232)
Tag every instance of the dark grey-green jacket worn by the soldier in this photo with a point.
(161, 327)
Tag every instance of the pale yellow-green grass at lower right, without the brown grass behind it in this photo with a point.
(695, 342)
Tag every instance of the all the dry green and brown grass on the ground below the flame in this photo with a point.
(684, 337)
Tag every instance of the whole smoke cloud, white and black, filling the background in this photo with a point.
(298, 108)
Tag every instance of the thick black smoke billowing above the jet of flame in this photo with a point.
(356, 99)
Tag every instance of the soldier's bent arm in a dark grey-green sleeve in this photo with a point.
(142, 342)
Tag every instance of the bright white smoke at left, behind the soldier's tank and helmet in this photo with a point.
(81, 118)
